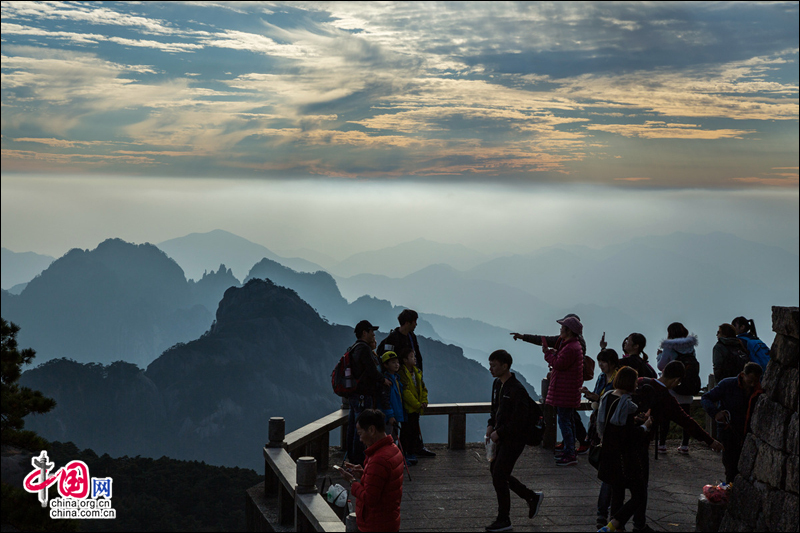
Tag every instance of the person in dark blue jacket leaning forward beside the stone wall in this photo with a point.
(729, 404)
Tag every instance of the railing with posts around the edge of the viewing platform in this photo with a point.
(291, 461)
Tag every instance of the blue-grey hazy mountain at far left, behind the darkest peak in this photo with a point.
(120, 301)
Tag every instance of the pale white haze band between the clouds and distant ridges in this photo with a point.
(345, 217)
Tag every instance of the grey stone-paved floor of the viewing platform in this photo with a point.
(453, 491)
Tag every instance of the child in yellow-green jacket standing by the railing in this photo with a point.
(415, 400)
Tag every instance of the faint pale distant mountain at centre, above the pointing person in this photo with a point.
(406, 258)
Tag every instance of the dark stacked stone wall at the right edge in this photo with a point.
(765, 493)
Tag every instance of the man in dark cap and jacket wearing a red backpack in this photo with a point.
(366, 368)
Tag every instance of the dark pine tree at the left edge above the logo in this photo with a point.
(17, 402)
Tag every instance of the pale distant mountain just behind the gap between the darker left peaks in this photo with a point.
(197, 252)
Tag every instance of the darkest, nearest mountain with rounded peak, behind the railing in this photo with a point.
(268, 354)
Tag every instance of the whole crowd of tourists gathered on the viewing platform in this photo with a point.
(633, 405)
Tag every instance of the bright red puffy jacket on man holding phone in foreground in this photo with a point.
(380, 490)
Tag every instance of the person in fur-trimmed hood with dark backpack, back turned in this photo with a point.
(679, 346)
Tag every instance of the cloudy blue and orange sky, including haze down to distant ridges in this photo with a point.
(498, 125)
